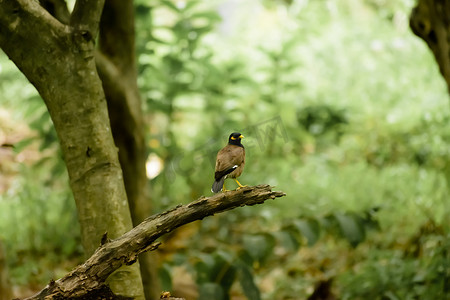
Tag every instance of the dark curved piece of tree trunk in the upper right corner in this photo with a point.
(430, 20)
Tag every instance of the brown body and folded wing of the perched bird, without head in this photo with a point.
(229, 157)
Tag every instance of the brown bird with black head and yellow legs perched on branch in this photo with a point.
(230, 162)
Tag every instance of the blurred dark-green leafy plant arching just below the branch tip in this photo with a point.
(244, 256)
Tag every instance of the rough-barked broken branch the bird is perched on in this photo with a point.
(91, 276)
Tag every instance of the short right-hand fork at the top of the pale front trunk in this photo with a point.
(86, 15)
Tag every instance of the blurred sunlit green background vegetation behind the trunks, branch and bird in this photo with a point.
(343, 109)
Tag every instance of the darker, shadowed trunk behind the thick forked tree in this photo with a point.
(116, 63)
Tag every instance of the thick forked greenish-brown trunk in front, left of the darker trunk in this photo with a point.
(58, 60)
